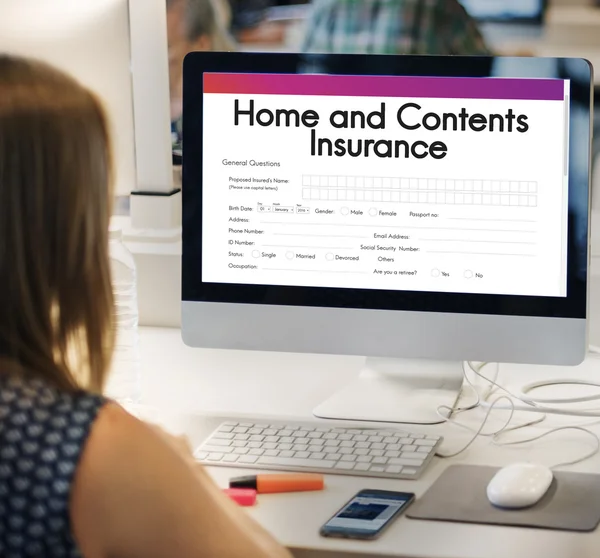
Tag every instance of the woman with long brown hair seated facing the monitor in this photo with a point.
(78, 475)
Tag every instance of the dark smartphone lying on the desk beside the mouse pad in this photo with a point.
(367, 514)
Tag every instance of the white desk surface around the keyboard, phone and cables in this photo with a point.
(181, 384)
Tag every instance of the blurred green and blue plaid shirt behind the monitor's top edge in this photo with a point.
(392, 27)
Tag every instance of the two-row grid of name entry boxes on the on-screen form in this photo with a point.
(420, 190)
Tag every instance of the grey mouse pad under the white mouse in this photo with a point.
(572, 502)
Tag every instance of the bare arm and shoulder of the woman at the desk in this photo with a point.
(137, 495)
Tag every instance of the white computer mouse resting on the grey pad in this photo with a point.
(519, 485)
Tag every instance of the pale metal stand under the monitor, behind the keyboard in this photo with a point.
(398, 391)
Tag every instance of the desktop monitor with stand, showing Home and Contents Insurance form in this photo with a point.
(419, 211)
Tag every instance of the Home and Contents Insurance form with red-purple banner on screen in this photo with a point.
(388, 183)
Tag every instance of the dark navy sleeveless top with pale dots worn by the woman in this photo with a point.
(42, 434)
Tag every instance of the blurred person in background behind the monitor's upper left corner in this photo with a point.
(192, 25)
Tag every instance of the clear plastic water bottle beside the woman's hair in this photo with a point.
(124, 382)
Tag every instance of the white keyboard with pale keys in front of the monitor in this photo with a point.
(386, 453)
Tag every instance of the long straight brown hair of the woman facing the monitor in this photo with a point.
(55, 205)
